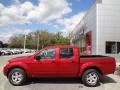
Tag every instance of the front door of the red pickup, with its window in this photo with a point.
(46, 66)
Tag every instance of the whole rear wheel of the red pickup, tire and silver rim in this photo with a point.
(91, 78)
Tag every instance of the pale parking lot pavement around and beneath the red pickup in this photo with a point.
(110, 82)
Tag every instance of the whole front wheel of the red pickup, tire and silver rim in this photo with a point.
(17, 77)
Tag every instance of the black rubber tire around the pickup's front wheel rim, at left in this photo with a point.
(17, 70)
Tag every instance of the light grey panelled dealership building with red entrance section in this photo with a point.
(99, 30)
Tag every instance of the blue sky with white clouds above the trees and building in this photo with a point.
(24, 16)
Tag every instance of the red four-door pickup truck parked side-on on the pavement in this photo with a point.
(59, 61)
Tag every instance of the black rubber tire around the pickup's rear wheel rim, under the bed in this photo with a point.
(86, 73)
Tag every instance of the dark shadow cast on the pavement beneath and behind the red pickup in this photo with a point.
(104, 79)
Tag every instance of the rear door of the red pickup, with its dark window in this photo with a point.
(67, 64)
